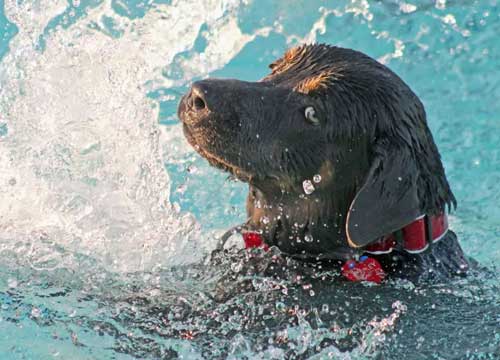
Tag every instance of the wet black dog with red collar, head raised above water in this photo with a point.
(338, 157)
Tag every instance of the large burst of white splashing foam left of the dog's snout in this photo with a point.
(81, 164)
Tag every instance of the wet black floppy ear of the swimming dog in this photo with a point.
(388, 199)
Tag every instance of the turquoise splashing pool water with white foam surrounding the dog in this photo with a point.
(107, 214)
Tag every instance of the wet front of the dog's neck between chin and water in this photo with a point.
(298, 223)
